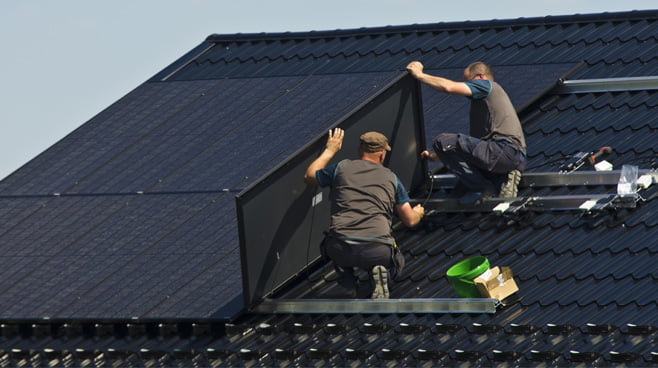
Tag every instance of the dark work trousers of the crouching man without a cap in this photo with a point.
(480, 165)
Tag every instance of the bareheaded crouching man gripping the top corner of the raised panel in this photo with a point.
(489, 161)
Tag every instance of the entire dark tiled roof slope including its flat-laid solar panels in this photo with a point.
(142, 195)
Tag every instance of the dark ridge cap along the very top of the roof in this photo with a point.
(440, 26)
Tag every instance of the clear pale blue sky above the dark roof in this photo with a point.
(64, 61)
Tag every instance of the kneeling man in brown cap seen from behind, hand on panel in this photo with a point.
(364, 197)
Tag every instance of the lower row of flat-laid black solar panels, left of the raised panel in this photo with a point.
(90, 254)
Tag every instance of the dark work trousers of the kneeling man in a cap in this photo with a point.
(348, 254)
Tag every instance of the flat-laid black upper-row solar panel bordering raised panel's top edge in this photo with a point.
(262, 139)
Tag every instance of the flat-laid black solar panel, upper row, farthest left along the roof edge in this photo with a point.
(96, 144)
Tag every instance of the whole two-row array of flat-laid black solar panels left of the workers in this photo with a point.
(133, 214)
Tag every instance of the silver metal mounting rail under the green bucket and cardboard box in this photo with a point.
(369, 306)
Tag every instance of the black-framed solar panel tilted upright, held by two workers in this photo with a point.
(281, 220)
